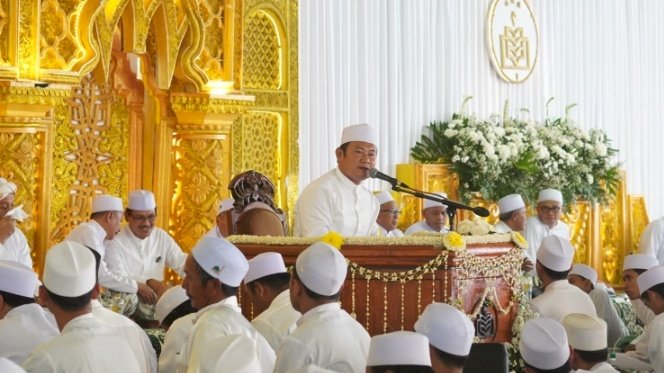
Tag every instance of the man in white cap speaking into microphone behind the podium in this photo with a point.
(337, 201)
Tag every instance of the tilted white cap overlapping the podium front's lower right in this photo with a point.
(447, 328)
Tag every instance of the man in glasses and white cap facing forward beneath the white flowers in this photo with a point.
(547, 222)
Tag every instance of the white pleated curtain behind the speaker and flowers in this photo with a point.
(400, 64)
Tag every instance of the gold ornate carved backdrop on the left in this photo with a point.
(110, 96)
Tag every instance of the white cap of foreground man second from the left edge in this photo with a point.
(70, 269)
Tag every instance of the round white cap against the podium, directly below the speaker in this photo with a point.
(321, 268)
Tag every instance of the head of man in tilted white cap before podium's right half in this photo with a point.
(450, 334)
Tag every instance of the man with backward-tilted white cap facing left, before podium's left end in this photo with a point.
(213, 273)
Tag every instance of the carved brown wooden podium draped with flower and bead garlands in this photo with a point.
(391, 280)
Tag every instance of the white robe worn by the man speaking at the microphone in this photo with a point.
(334, 203)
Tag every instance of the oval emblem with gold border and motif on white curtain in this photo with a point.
(512, 39)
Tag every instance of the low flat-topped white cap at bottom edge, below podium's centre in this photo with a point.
(399, 348)
